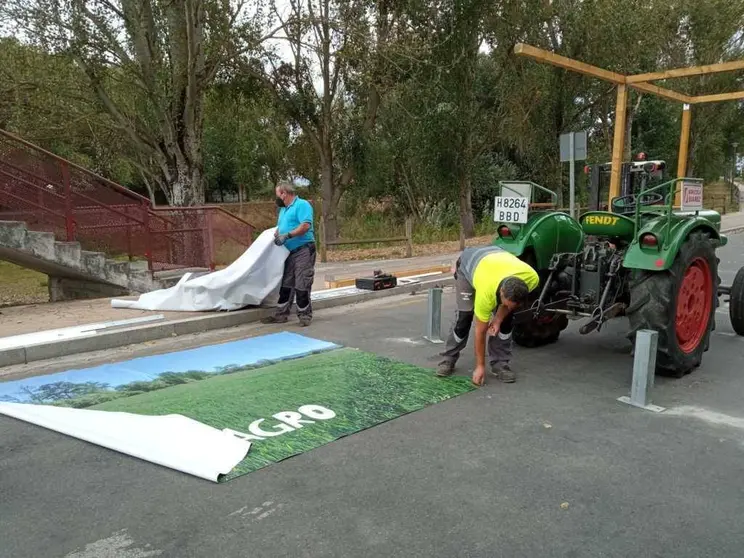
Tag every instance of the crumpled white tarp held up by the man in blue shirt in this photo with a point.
(246, 282)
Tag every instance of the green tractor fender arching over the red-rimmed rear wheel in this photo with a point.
(669, 242)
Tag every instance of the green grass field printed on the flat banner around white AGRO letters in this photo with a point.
(362, 389)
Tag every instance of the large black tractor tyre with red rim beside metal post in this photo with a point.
(679, 304)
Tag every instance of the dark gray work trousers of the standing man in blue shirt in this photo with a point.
(297, 282)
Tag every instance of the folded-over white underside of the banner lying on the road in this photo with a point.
(173, 441)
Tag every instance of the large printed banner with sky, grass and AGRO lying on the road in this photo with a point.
(278, 410)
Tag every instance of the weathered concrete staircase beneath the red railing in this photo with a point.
(75, 273)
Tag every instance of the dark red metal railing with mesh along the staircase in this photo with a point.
(52, 194)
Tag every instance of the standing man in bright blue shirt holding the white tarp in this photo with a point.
(294, 230)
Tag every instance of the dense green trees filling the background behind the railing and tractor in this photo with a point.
(417, 104)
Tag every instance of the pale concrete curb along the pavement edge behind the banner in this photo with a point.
(222, 320)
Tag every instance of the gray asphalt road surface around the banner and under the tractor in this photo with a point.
(552, 466)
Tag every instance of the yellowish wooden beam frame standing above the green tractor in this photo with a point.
(641, 82)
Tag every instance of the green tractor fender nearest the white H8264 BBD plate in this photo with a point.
(544, 234)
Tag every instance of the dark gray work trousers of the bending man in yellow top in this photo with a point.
(499, 347)
